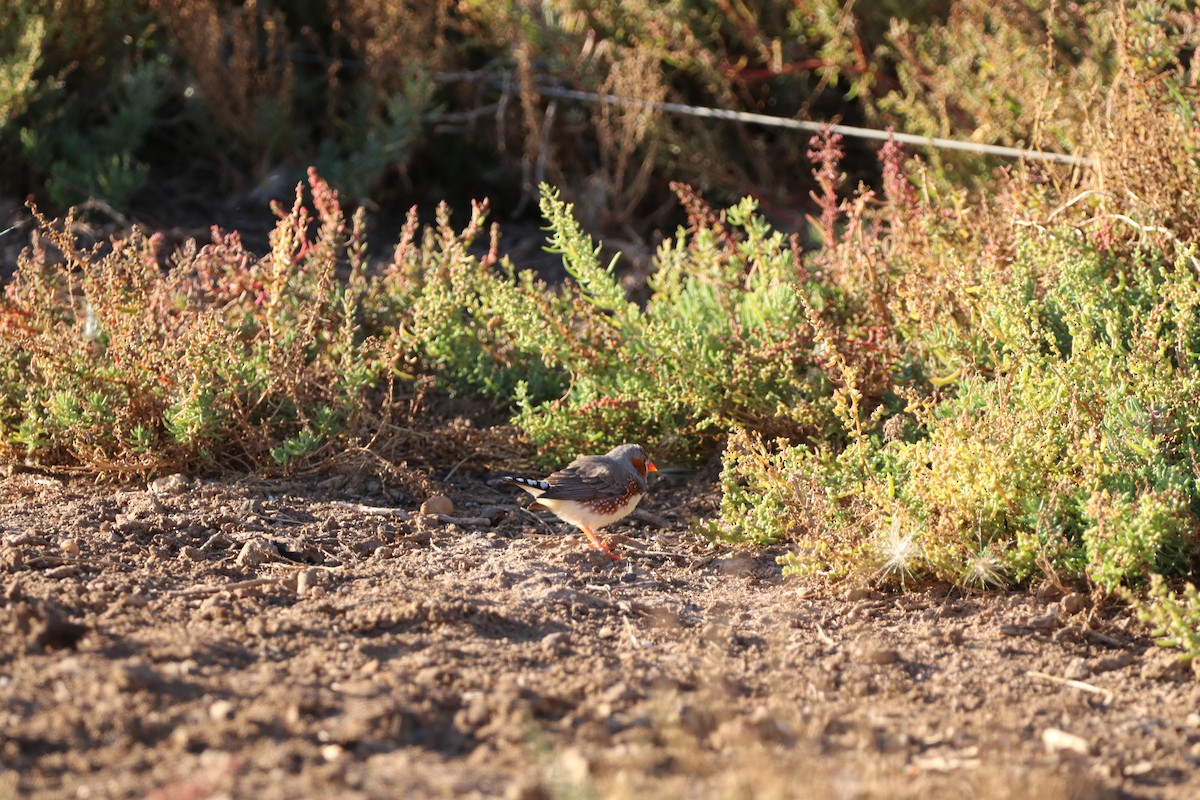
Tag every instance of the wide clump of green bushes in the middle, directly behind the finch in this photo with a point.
(722, 342)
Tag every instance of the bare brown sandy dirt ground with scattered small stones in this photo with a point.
(237, 639)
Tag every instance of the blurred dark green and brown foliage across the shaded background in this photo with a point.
(107, 99)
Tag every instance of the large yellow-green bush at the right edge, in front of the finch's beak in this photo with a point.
(1067, 450)
